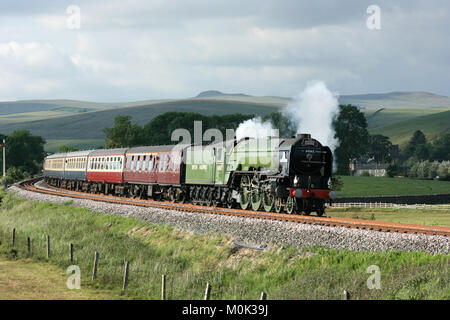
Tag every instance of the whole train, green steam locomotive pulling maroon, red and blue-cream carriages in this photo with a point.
(270, 174)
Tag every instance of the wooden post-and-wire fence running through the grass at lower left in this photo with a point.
(99, 267)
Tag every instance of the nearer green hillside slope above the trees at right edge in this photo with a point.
(431, 125)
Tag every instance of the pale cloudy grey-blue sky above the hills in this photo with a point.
(137, 50)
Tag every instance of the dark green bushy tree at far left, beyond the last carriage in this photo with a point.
(24, 151)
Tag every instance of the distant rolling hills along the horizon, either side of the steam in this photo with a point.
(83, 121)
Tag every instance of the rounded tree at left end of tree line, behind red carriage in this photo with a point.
(123, 133)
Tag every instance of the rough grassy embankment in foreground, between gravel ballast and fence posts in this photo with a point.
(190, 261)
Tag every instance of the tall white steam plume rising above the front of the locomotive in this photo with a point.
(313, 111)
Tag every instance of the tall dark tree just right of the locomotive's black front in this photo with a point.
(351, 130)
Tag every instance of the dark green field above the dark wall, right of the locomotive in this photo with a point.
(384, 186)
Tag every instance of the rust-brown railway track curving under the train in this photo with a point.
(382, 226)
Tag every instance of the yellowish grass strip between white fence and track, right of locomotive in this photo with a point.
(435, 216)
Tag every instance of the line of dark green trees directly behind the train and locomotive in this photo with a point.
(350, 127)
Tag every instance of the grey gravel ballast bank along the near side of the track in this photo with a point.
(260, 232)
